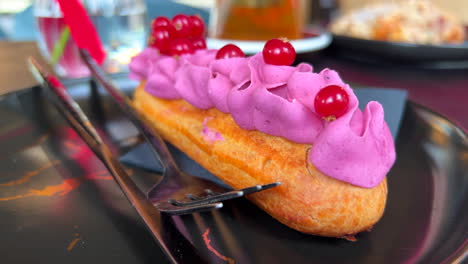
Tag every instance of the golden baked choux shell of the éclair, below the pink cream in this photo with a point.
(307, 200)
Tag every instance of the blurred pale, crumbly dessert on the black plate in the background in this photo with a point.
(415, 21)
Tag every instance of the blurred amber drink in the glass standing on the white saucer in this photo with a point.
(259, 20)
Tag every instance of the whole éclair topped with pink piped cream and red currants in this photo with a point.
(250, 122)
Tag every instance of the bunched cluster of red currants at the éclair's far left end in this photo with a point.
(181, 35)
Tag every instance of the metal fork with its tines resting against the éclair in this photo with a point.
(178, 192)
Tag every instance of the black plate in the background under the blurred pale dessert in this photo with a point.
(426, 55)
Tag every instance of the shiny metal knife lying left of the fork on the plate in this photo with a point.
(175, 246)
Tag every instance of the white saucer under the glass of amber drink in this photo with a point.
(250, 47)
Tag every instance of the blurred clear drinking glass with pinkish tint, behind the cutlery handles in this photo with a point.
(121, 26)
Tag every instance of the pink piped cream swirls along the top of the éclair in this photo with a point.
(356, 148)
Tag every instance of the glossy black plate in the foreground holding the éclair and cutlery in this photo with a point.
(86, 219)
